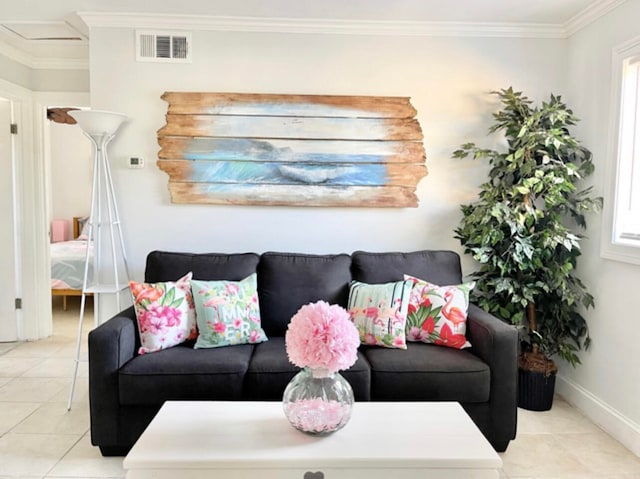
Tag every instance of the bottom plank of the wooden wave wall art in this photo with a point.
(292, 195)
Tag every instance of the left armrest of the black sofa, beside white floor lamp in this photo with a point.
(111, 345)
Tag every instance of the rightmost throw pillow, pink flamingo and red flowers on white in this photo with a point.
(438, 314)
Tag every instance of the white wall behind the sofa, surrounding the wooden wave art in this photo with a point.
(447, 78)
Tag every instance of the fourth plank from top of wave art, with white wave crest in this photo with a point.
(279, 173)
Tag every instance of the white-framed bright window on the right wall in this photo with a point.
(621, 222)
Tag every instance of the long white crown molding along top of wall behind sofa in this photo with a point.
(319, 26)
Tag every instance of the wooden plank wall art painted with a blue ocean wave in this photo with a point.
(306, 150)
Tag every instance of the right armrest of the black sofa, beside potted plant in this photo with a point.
(496, 343)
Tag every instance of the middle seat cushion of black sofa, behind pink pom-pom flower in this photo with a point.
(270, 371)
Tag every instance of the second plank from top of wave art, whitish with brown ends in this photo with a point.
(237, 126)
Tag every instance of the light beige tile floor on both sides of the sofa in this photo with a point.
(40, 439)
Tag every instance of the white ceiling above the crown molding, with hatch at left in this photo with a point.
(46, 33)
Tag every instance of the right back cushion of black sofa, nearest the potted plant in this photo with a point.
(438, 267)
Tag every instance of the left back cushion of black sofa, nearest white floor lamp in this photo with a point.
(169, 266)
